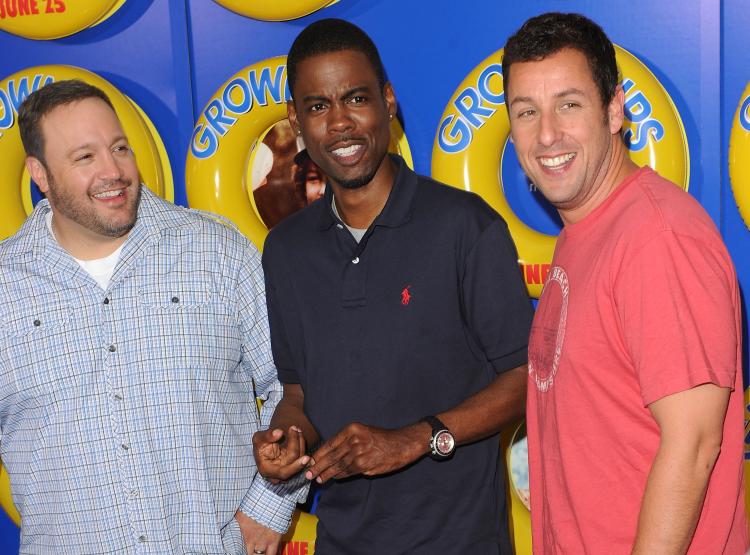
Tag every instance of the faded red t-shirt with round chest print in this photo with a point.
(641, 302)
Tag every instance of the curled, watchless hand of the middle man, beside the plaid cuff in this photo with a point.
(279, 456)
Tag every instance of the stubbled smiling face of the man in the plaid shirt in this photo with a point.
(90, 178)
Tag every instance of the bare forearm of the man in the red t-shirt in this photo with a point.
(673, 498)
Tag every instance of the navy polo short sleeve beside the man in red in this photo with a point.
(498, 308)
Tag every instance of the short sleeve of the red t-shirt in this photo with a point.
(677, 303)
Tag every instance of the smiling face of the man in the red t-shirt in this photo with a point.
(567, 142)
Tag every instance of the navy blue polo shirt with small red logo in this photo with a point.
(420, 314)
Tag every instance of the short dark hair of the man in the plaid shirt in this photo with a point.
(43, 101)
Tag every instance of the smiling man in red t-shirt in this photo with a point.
(635, 412)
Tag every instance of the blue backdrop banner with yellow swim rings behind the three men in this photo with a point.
(200, 86)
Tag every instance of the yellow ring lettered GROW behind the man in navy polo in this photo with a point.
(226, 144)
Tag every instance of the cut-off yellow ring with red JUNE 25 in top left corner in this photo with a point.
(52, 19)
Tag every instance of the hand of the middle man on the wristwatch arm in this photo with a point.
(360, 449)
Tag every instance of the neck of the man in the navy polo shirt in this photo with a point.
(359, 207)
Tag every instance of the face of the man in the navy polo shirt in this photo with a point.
(343, 116)
